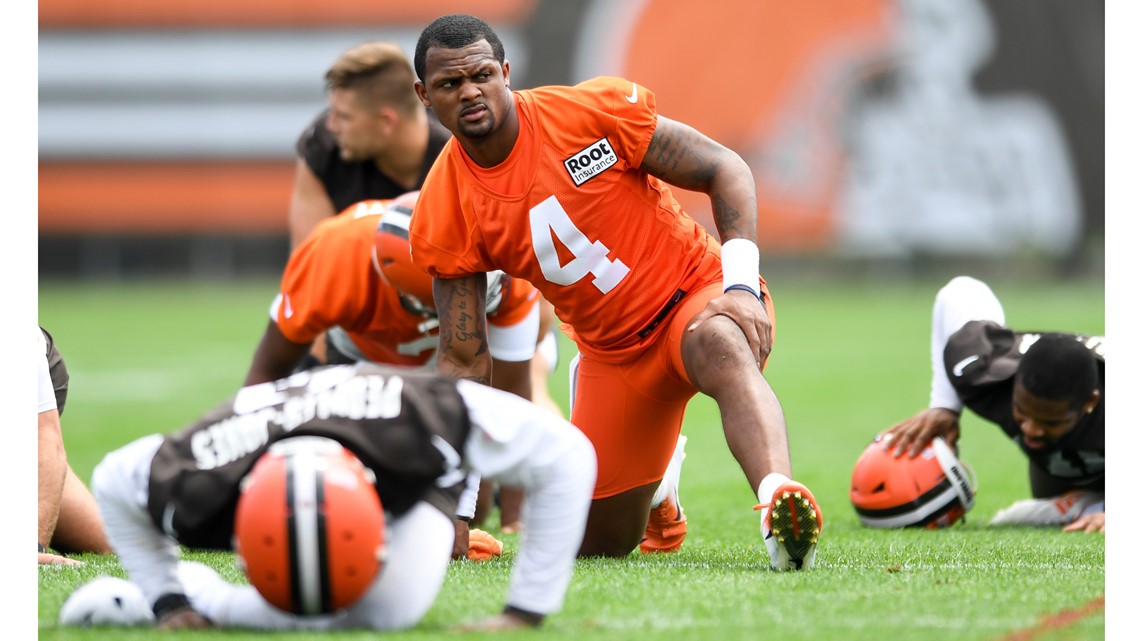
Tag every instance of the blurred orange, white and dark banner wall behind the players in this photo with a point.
(891, 131)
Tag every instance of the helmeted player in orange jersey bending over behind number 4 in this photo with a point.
(379, 310)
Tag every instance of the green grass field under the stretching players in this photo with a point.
(851, 360)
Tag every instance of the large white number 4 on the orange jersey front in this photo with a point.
(548, 220)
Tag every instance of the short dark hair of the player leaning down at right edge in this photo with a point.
(1060, 368)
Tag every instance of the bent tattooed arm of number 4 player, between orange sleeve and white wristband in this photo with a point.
(688, 159)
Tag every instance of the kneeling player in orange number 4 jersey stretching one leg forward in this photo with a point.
(567, 188)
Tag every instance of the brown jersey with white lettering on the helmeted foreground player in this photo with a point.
(410, 428)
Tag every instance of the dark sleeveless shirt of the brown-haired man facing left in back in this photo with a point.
(348, 183)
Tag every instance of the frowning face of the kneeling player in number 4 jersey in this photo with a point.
(468, 90)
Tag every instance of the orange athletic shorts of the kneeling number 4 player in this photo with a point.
(633, 411)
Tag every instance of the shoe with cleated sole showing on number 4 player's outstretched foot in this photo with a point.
(791, 524)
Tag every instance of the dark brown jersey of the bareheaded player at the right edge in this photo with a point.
(981, 360)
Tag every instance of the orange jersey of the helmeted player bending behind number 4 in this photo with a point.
(331, 280)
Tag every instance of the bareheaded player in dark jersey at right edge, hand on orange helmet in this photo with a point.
(1045, 391)
